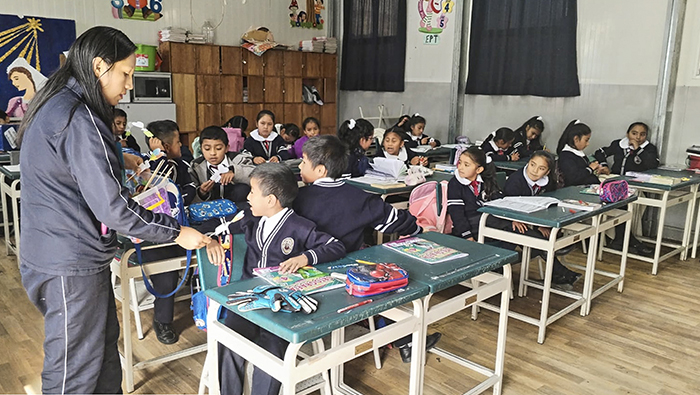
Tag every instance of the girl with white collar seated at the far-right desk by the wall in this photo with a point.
(632, 153)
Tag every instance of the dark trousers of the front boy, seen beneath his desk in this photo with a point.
(232, 366)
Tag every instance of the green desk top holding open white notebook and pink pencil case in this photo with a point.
(557, 217)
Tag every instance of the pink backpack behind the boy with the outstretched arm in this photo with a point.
(428, 203)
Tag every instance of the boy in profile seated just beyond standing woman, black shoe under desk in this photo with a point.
(166, 136)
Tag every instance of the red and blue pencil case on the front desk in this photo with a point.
(369, 280)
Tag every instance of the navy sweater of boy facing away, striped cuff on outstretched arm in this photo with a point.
(344, 211)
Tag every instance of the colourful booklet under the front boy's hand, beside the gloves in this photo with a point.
(308, 279)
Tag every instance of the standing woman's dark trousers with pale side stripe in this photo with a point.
(81, 332)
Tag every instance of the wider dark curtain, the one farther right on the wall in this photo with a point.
(520, 47)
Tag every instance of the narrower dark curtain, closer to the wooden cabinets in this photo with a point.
(374, 45)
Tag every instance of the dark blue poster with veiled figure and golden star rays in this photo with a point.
(29, 52)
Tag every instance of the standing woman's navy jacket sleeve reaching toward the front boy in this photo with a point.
(91, 157)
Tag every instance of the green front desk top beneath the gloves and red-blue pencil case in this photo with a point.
(299, 327)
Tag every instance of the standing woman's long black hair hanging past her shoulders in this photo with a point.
(100, 41)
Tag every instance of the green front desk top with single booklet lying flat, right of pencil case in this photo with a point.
(482, 258)
